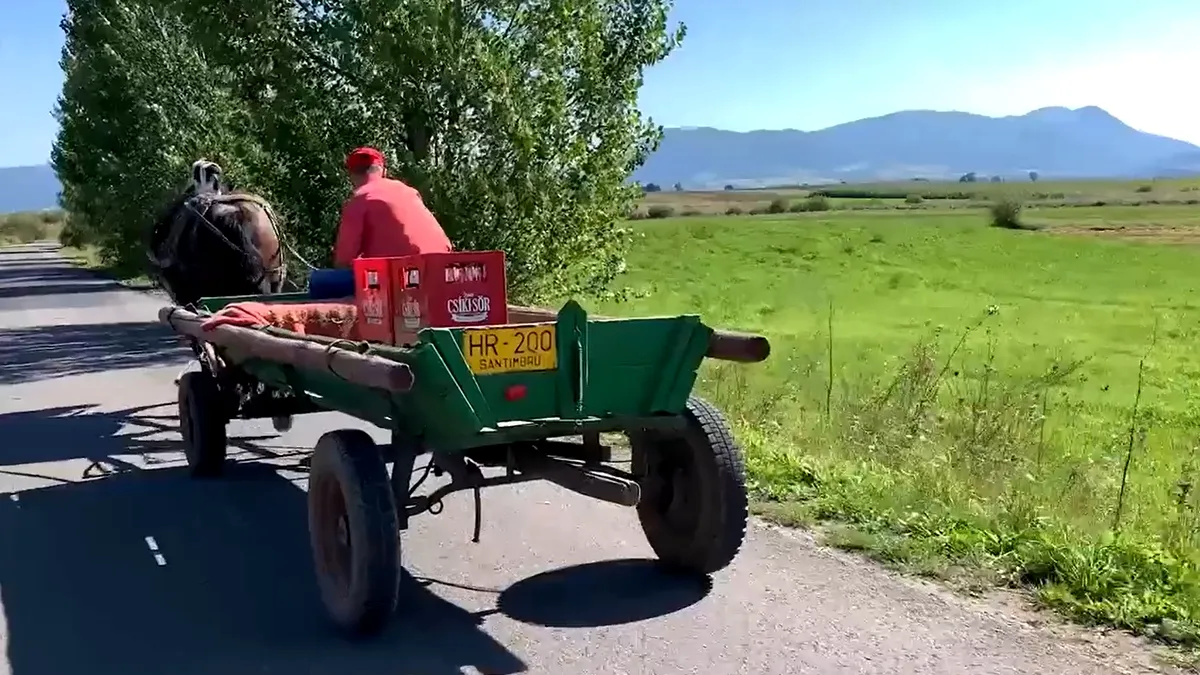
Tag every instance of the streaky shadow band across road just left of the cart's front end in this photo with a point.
(29, 355)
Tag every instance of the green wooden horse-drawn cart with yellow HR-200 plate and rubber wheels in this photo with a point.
(491, 405)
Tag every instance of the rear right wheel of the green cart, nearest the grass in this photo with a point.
(694, 507)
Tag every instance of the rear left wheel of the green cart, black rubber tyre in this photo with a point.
(353, 529)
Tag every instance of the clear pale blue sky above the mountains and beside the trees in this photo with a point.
(779, 64)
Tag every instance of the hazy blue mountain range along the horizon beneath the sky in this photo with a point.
(931, 145)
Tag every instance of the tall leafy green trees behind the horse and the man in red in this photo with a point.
(515, 142)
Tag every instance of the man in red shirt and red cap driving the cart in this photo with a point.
(383, 218)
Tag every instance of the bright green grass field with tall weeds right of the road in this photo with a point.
(963, 401)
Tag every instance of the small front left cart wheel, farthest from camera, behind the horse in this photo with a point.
(202, 422)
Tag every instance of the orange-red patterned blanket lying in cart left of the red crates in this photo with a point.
(331, 320)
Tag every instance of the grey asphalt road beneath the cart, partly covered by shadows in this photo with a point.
(113, 563)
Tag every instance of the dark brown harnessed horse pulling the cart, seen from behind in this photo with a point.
(214, 242)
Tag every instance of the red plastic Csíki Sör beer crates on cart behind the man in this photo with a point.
(398, 297)
